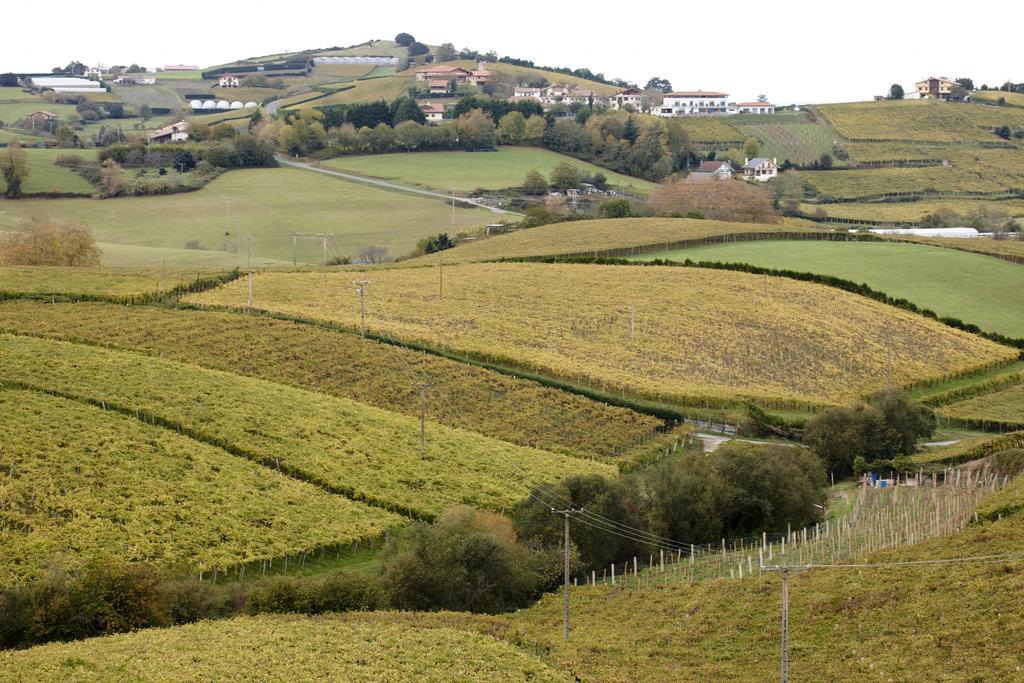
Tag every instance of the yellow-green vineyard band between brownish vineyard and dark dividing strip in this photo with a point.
(345, 447)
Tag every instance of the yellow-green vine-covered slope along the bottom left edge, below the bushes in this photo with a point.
(286, 648)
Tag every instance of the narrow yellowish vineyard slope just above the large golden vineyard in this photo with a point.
(588, 237)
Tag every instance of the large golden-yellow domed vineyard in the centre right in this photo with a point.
(677, 335)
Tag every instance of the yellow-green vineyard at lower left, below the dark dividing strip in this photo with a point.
(78, 484)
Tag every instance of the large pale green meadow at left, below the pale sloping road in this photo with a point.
(268, 204)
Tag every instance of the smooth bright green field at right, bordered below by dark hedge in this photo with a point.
(974, 288)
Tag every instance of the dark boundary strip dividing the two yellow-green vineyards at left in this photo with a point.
(153, 419)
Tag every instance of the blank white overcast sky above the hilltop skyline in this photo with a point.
(793, 52)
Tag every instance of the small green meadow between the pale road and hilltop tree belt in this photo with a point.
(465, 172)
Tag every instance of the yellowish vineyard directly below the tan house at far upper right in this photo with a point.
(926, 121)
